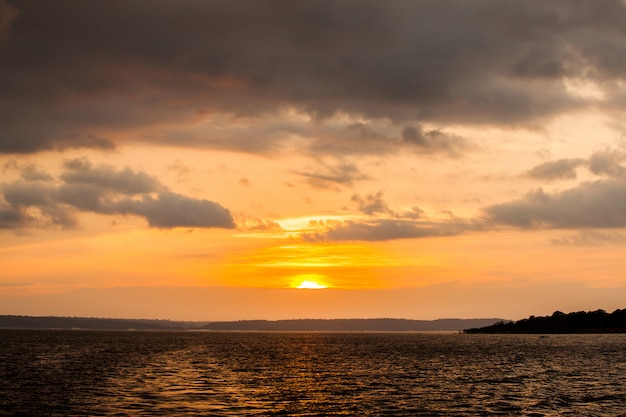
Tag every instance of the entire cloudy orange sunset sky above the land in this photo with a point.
(202, 160)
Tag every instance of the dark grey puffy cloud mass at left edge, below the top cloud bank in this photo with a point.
(101, 189)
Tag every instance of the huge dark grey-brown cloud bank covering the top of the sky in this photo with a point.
(75, 73)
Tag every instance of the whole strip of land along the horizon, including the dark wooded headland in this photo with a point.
(593, 322)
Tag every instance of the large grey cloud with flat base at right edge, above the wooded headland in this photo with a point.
(595, 204)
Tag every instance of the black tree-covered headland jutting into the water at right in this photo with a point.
(598, 321)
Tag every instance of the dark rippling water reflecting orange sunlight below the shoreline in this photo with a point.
(310, 374)
